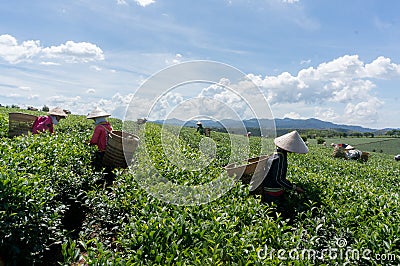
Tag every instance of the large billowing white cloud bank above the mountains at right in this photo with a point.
(346, 80)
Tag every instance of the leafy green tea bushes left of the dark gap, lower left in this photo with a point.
(40, 177)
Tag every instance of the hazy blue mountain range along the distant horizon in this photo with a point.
(285, 123)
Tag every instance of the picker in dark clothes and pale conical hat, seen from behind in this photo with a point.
(275, 182)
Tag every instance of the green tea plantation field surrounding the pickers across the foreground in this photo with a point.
(55, 210)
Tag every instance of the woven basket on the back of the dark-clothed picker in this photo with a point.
(244, 172)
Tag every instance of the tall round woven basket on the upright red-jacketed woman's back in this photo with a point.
(120, 149)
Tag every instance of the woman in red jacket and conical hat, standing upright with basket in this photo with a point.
(100, 134)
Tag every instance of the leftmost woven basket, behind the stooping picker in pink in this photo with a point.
(20, 124)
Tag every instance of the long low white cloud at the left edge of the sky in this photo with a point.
(71, 51)
